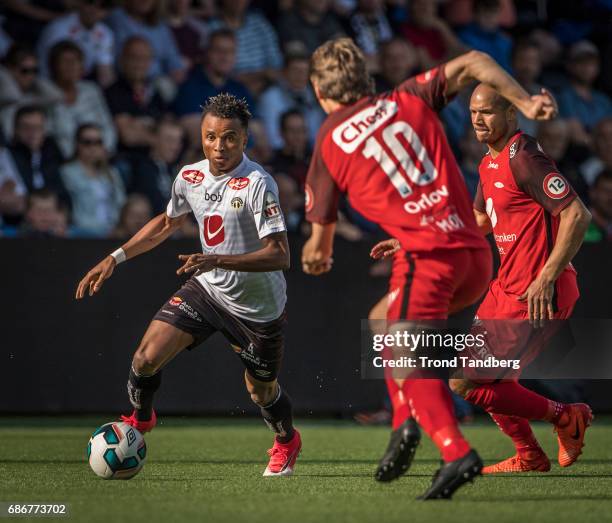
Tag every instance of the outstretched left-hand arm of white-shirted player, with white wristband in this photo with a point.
(147, 238)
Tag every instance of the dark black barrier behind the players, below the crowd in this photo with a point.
(62, 356)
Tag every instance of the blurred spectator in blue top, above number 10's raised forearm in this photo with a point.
(484, 34)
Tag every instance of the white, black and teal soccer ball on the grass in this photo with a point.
(116, 450)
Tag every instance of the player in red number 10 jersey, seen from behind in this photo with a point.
(390, 155)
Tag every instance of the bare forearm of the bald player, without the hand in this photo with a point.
(573, 223)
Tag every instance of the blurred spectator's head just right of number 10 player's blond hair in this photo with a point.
(398, 61)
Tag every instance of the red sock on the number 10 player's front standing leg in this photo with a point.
(432, 407)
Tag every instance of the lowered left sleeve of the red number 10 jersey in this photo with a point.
(322, 192)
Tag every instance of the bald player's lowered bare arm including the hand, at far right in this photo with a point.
(573, 223)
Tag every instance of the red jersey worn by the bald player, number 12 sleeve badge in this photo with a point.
(522, 192)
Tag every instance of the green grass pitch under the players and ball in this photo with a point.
(210, 470)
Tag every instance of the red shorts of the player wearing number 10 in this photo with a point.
(434, 285)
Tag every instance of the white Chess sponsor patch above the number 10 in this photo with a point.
(352, 132)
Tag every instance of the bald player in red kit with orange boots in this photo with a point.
(538, 223)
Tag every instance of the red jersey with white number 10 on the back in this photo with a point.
(390, 155)
